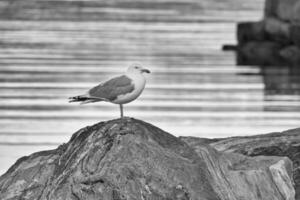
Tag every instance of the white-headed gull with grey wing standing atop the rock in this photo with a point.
(118, 90)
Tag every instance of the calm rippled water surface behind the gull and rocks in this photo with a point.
(50, 51)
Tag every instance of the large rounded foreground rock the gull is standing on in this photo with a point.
(130, 159)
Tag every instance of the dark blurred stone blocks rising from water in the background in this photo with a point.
(276, 36)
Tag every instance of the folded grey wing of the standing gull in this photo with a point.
(111, 89)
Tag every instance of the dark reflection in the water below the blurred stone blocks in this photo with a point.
(281, 90)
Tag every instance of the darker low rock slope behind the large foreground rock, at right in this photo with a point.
(275, 144)
